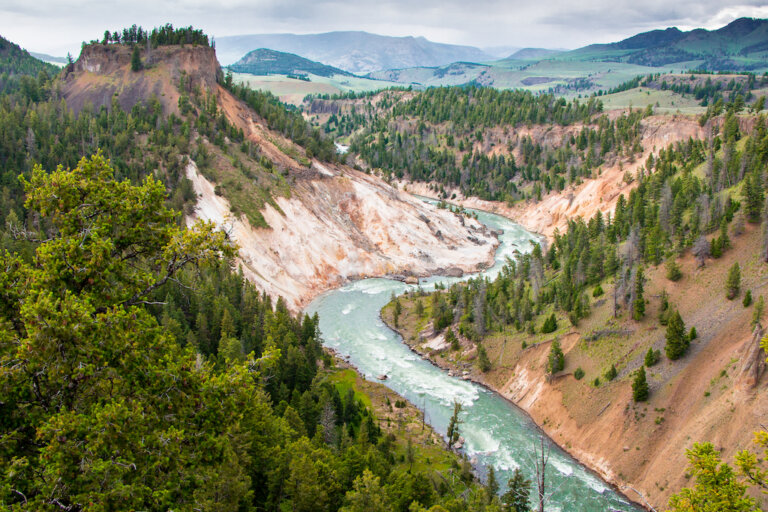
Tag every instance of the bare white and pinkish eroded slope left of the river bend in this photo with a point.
(341, 226)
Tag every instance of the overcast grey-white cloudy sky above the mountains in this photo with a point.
(58, 26)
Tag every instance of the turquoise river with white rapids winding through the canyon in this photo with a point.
(496, 432)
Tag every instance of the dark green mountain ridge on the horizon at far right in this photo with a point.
(742, 45)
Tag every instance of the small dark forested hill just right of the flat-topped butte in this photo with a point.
(269, 62)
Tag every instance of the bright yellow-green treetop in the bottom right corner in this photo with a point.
(717, 488)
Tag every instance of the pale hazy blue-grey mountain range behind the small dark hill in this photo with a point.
(356, 52)
